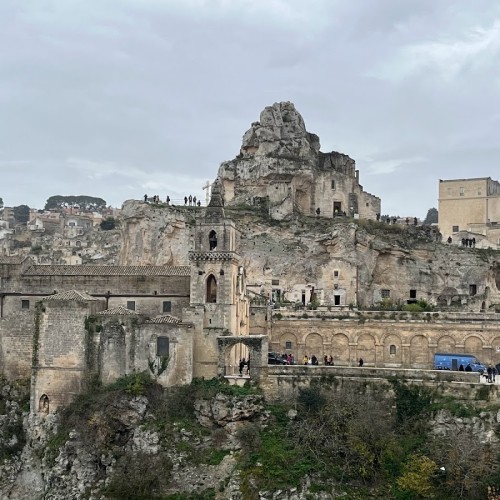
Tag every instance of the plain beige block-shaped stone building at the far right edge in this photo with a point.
(470, 208)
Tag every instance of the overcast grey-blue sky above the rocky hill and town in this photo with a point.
(116, 98)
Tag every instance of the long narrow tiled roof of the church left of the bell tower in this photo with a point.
(43, 270)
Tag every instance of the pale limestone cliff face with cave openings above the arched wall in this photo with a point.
(356, 263)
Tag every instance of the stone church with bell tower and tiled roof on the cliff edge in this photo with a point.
(64, 325)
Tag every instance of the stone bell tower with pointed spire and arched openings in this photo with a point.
(217, 281)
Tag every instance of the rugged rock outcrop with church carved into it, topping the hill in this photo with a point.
(281, 169)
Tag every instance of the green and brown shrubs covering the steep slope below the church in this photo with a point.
(365, 443)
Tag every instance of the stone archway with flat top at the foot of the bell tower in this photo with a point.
(257, 346)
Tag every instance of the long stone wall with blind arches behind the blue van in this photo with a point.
(385, 343)
